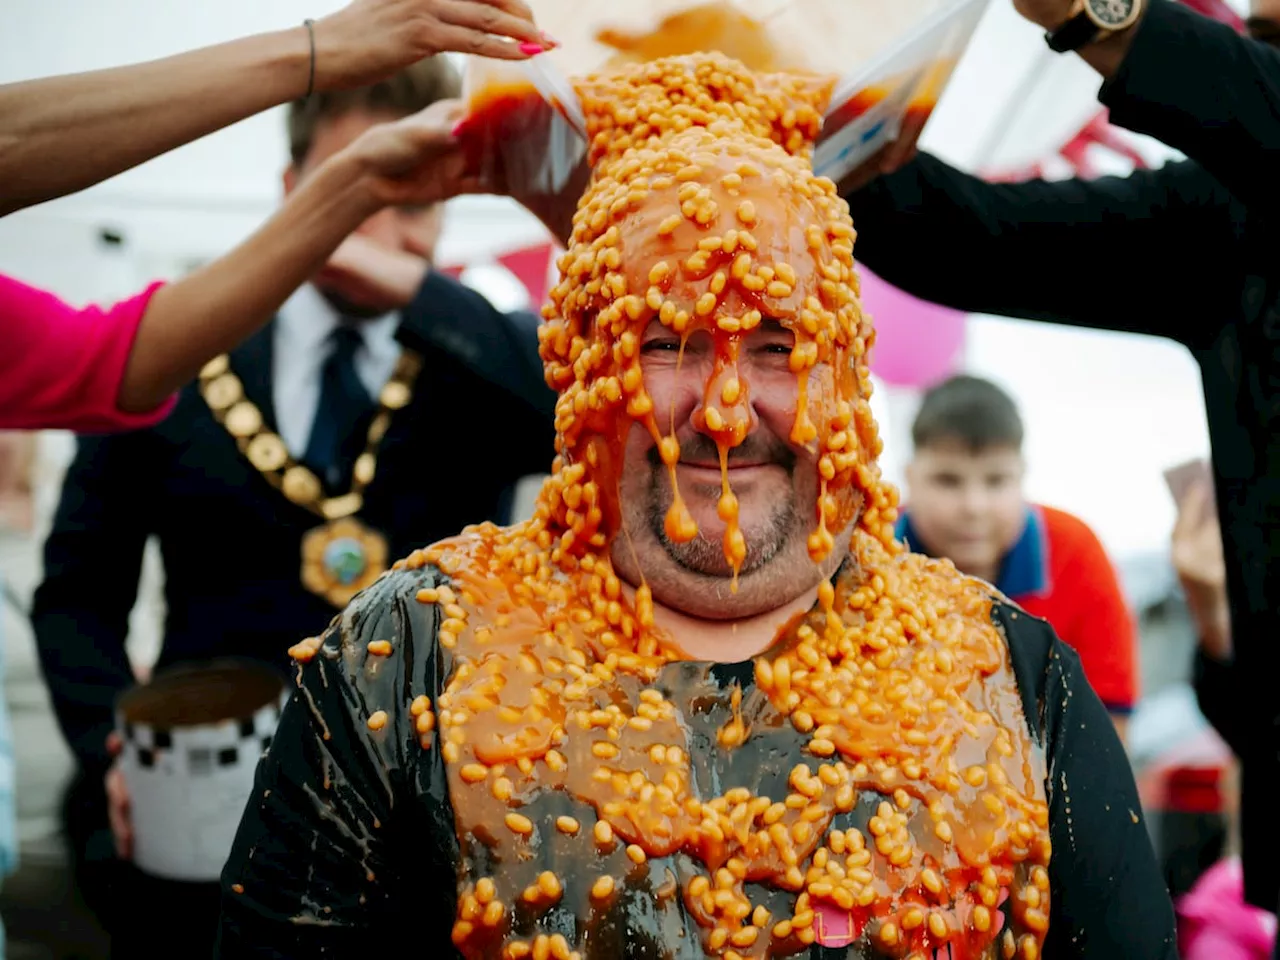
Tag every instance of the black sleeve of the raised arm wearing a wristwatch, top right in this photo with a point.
(1206, 92)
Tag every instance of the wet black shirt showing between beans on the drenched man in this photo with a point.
(349, 847)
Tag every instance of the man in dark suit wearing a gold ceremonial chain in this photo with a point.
(342, 437)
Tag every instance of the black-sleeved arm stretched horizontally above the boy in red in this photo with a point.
(1151, 253)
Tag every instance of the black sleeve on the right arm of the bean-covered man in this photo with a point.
(1109, 899)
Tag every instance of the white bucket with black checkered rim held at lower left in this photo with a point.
(193, 740)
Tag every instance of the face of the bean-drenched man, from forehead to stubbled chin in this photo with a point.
(723, 490)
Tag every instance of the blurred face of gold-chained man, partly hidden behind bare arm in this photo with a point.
(414, 230)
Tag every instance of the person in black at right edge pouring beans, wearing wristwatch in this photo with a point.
(1186, 253)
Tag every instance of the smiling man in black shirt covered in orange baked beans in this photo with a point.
(702, 703)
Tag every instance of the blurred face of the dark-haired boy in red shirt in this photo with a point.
(967, 505)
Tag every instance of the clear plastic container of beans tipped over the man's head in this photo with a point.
(888, 62)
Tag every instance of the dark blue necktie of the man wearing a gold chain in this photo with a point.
(345, 404)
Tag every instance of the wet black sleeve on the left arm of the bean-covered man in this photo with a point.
(339, 852)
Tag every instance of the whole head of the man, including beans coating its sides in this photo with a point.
(712, 354)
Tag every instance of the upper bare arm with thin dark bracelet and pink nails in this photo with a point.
(62, 135)
